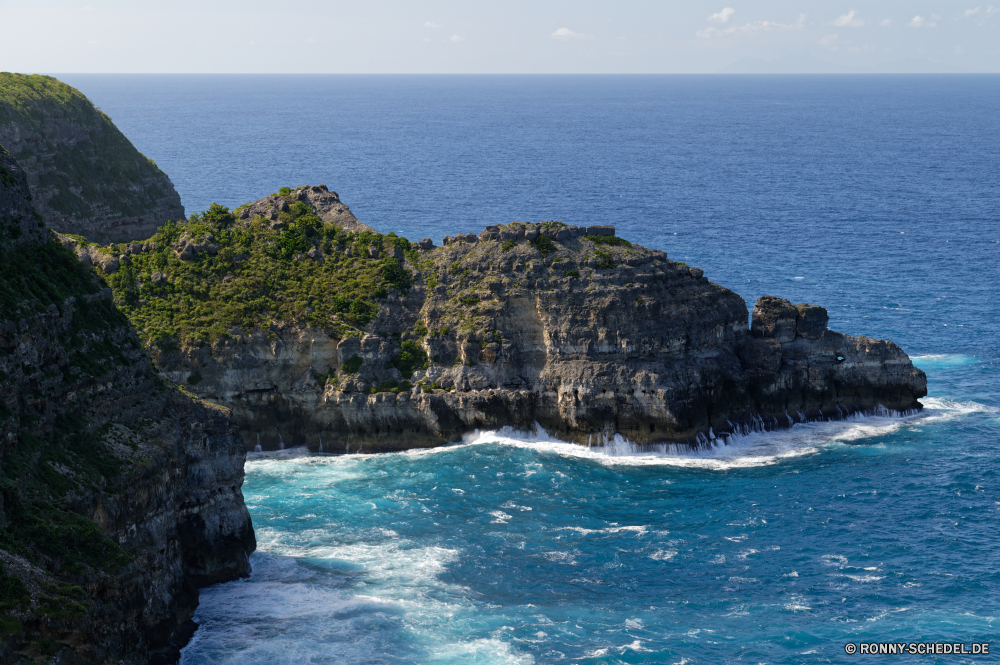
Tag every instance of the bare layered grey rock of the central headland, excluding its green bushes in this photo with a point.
(569, 327)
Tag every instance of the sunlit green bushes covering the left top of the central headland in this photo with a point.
(256, 276)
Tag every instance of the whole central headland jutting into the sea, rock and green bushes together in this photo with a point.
(358, 341)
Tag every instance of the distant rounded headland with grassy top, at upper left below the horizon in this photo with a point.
(85, 177)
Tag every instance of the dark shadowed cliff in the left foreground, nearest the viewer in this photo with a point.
(119, 495)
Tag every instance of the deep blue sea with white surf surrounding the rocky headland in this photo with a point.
(877, 197)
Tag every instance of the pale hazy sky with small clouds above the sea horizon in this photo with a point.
(540, 36)
